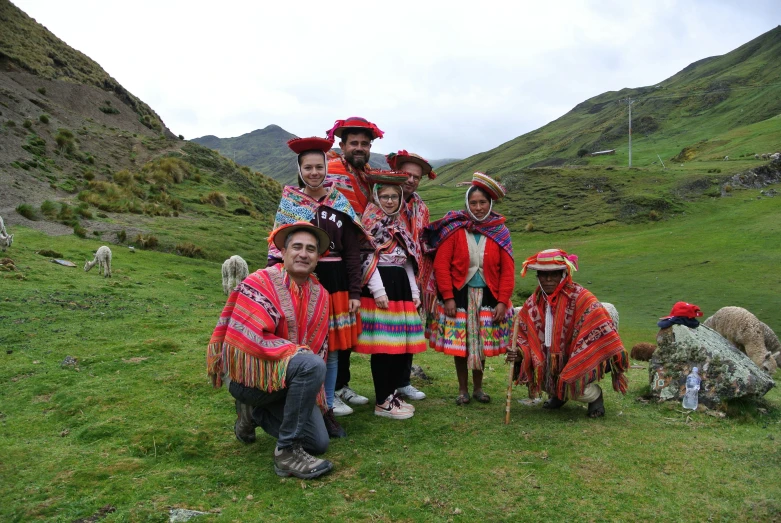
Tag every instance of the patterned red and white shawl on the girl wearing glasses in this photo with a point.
(386, 233)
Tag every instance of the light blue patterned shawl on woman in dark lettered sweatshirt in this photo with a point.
(297, 206)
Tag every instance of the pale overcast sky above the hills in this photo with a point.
(443, 79)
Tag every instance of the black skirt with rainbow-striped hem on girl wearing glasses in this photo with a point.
(397, 329)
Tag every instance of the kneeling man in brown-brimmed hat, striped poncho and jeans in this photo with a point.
(270, 345)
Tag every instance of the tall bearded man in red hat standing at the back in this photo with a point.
(348, 174)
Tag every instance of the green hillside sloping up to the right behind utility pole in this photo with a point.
(709, 110)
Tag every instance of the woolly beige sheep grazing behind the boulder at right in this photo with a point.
(745, 331)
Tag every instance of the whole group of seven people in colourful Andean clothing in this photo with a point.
(355, 265)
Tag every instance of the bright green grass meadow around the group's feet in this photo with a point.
(136, 425)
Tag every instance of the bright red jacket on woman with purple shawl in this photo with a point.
(452, 263)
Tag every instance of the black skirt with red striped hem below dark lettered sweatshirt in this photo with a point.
(344, 326)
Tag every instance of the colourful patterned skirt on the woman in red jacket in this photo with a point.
(472, 334)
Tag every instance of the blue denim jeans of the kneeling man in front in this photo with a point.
(291, 414)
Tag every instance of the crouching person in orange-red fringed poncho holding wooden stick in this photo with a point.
(566, 339)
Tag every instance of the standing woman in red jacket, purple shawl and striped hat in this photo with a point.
(475, 278)
